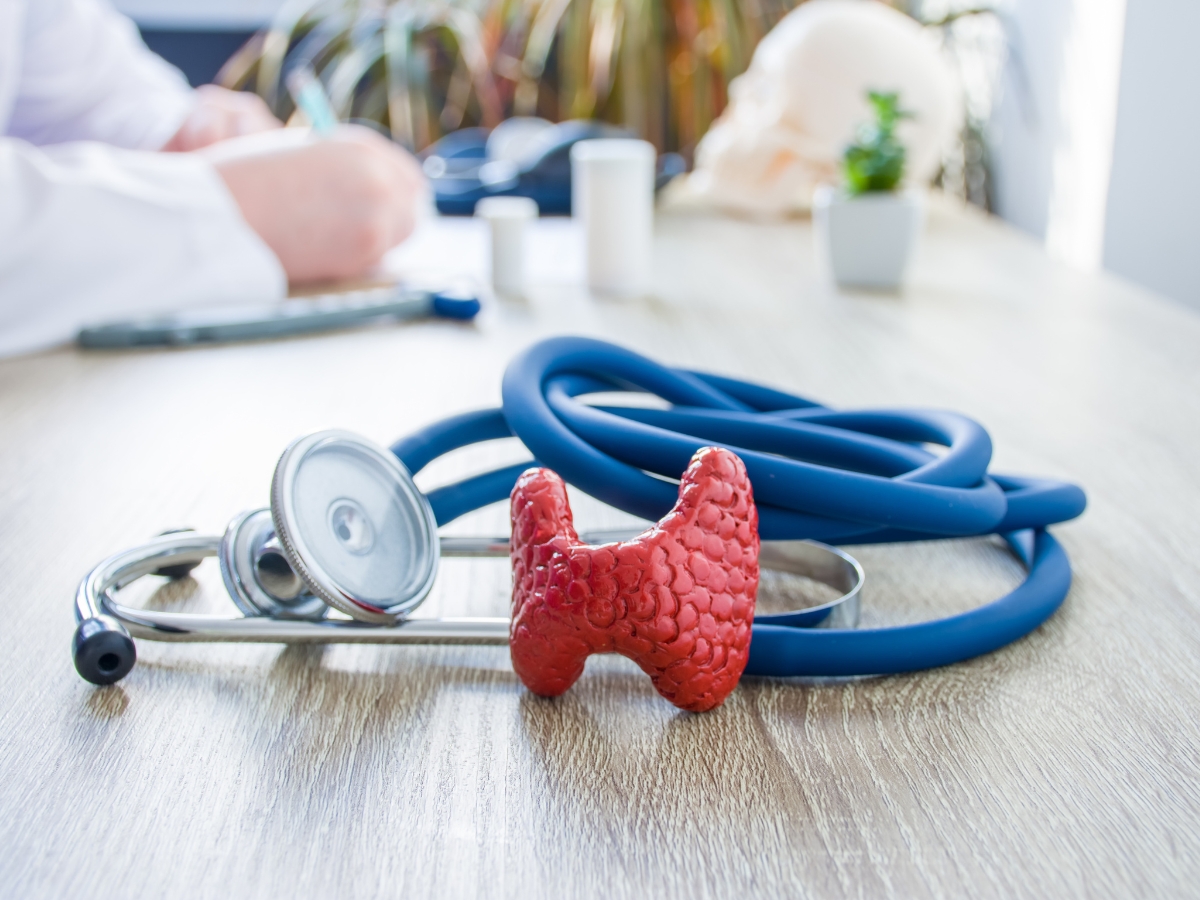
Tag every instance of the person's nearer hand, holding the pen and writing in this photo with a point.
(329, 209)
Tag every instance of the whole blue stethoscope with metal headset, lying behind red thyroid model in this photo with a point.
(350, 548)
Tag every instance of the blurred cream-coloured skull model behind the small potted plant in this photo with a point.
(793, 113)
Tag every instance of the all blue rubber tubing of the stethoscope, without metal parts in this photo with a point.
(861, 477)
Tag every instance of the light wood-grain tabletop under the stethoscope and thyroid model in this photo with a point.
(1066, 765)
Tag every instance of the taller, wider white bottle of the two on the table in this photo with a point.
(613, 196)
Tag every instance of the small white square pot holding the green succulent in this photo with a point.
(871, 238)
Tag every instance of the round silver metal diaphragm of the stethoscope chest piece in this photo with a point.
(355, 526)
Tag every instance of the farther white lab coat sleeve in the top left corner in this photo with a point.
(86, 75)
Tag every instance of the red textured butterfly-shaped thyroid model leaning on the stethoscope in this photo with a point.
(679, 599)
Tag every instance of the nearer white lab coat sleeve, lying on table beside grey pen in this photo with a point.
(93, 233)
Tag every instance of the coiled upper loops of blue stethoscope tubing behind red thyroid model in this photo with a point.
(831, 476)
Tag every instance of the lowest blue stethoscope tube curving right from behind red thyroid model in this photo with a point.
(788, 652)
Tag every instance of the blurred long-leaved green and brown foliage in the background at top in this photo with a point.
(422, 69)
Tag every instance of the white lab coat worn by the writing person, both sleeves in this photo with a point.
(94, 225)
